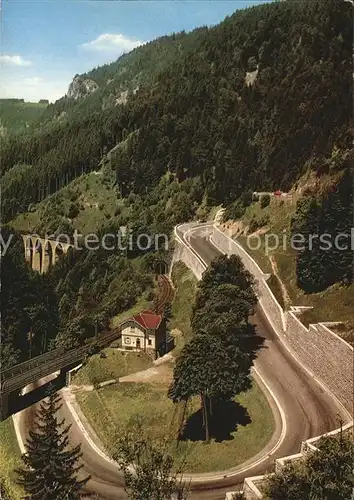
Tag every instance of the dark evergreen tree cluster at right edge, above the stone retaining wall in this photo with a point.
(326, 259)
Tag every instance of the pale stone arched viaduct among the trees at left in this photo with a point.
(42, 253)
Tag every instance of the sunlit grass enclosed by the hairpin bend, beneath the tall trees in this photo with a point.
(113, 409)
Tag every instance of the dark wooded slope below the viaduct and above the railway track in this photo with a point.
(67, 306)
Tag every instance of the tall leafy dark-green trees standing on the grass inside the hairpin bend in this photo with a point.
(216, 363)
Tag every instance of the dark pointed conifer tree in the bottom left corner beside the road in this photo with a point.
(51, 468)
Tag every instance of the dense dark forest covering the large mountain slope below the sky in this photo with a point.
(202, 116)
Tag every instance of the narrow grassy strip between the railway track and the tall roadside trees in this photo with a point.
(186, 285)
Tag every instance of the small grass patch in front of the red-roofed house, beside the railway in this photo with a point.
(115, 364)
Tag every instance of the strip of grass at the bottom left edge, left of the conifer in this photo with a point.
(9, 458)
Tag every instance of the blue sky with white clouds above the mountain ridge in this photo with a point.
(44, 43)
